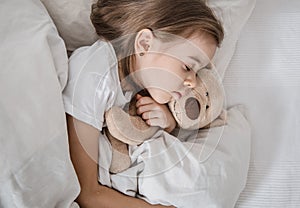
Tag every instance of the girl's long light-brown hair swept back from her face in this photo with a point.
(116, 21)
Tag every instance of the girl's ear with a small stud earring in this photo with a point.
(143, 41)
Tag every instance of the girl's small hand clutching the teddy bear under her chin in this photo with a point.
(155, 114)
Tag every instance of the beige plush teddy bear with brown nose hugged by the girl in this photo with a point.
(202, 107)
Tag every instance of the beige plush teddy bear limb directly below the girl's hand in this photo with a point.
(131, 130)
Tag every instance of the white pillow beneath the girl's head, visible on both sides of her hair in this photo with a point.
(72, 19)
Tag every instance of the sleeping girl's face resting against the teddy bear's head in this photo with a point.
(168, 70)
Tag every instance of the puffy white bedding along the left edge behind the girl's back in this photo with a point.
(36, 170)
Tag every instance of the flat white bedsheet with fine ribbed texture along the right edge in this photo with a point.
(264, 75)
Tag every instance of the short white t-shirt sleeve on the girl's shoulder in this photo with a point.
(88, 94)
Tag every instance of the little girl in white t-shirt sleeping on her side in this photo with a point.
(148, 44)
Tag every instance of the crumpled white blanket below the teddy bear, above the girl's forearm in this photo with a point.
(192, 173)
